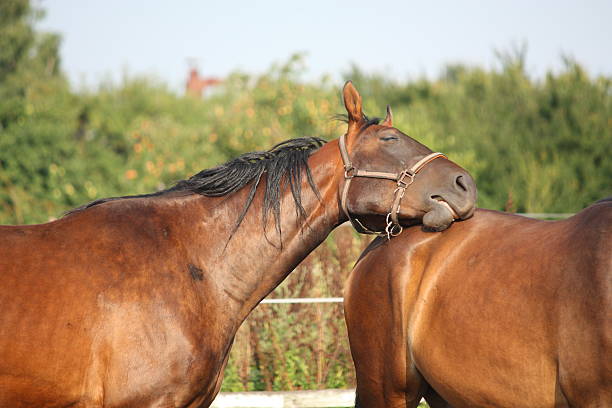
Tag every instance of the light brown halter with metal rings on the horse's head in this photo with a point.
(403, 179)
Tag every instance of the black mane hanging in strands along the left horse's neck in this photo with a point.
(283, 164)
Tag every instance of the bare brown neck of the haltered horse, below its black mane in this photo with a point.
(251, 264)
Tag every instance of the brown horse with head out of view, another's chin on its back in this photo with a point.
(497, 311)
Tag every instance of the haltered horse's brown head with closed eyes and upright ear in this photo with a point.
(388, 172)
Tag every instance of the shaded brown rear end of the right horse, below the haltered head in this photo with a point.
(377, 316)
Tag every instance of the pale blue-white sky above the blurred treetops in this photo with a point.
(403, 39)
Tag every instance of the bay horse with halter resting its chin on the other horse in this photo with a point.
(135, 301)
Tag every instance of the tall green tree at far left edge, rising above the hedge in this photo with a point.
(34, 98)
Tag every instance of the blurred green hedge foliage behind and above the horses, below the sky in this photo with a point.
(532, 146)
